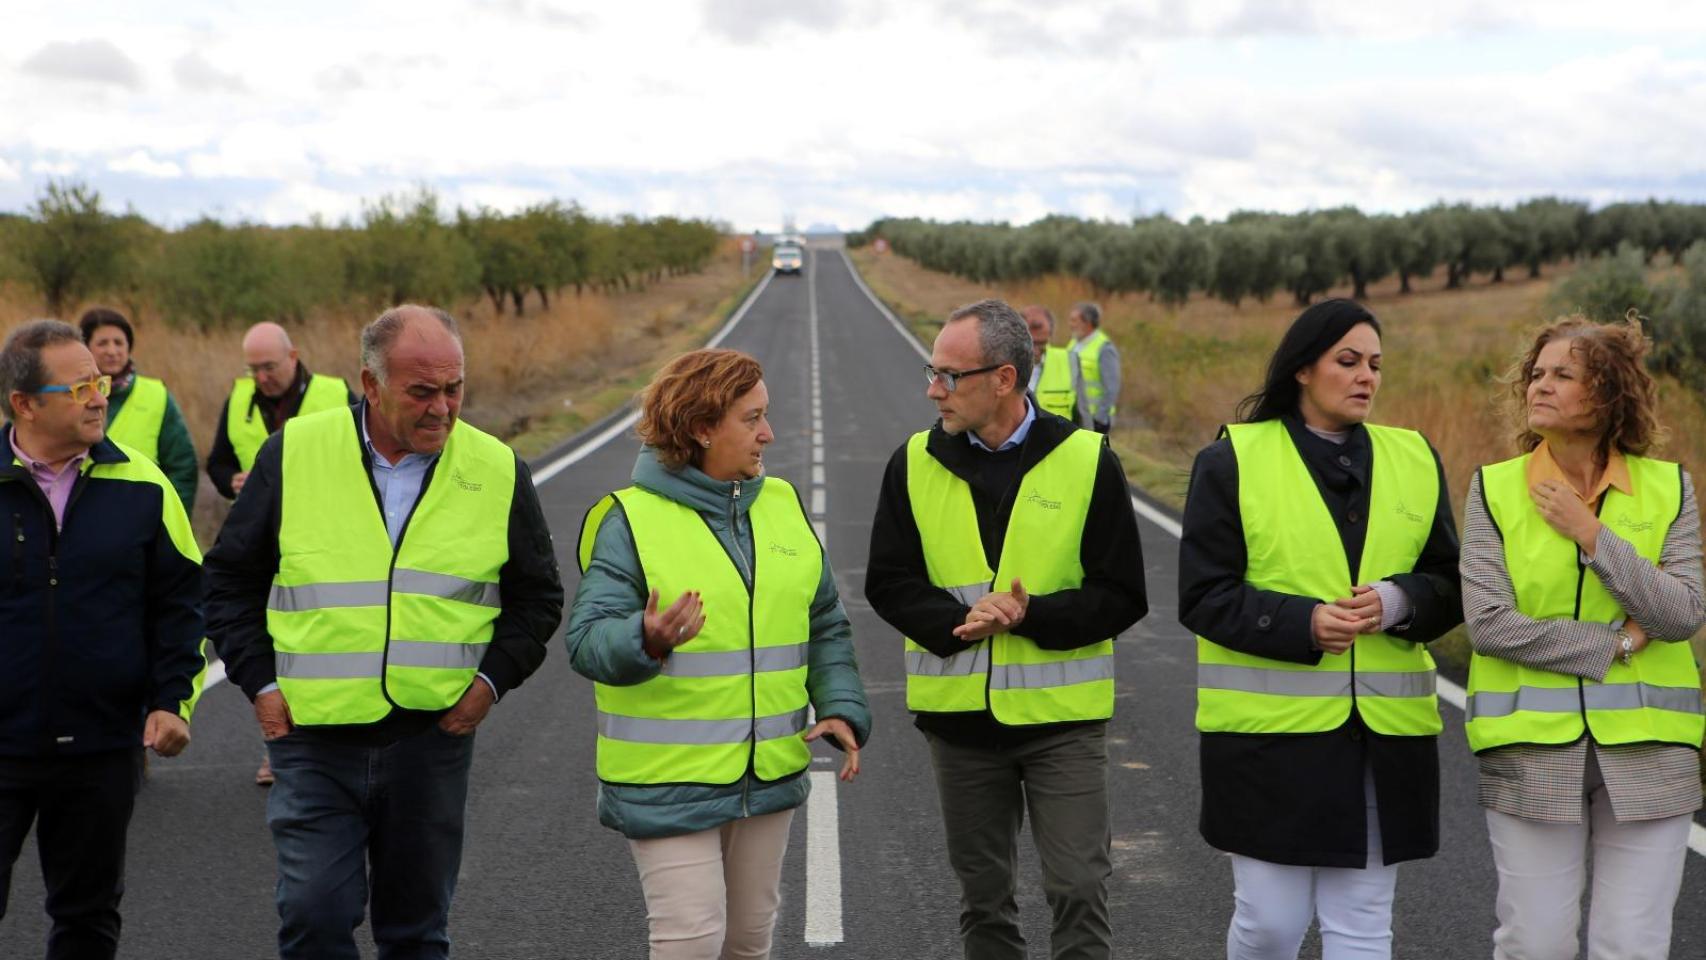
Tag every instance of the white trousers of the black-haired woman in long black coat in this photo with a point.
(1275, 905)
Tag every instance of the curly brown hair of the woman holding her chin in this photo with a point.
(1622, 390)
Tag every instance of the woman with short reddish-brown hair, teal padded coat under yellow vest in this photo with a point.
(709, 618)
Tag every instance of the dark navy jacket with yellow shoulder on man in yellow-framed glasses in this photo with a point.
(100, 620)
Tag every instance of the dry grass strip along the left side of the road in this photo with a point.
(531, 381)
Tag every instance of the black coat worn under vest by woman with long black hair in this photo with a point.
(1299, 799)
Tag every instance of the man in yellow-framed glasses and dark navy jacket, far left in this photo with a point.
(102, 618)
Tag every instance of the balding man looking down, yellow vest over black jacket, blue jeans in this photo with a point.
(385, 579)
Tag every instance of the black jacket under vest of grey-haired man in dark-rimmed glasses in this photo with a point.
(898, 586)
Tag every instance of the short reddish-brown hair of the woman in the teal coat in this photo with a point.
(688, 396)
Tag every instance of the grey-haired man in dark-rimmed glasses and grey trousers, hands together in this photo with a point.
(1007, 555)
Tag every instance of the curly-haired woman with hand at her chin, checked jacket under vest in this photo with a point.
(1582, 587)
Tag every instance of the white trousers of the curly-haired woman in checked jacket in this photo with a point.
(1543, 867)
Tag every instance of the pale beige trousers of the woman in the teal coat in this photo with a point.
(714, 896)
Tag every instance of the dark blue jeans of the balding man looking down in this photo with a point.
(356, 824)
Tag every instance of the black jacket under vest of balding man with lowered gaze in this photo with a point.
(245, 560)
